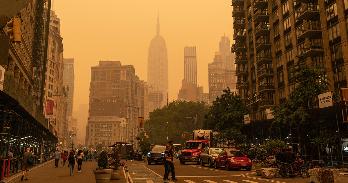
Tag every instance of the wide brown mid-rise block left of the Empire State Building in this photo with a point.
(116, 93)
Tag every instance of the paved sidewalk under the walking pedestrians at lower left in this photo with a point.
(49, 174)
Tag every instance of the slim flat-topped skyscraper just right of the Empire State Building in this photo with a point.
(189, 90)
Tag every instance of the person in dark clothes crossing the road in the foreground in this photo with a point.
(169, 162)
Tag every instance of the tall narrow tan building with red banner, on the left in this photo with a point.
(55, 102)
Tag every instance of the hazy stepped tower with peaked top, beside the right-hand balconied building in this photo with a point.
(221, 72)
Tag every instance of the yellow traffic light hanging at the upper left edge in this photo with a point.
(13, 30)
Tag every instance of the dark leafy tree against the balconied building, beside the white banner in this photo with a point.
(300, 114)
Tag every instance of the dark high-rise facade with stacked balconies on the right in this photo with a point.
(274, 37)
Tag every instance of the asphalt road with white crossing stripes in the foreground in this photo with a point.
(140, 172)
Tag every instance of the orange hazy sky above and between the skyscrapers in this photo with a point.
(94, 30)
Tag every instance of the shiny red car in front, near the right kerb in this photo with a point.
(232, 159)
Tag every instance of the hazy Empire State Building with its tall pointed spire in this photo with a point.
(157, 71)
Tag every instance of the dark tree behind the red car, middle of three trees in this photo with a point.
(226, 116)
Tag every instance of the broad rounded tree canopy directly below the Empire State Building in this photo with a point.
(177, 121)
